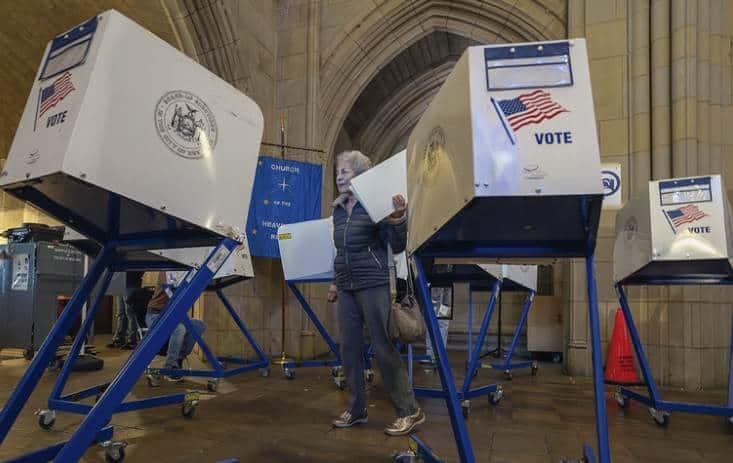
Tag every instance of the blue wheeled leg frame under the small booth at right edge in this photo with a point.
(654, 400)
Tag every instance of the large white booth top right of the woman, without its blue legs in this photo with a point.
(508, 123)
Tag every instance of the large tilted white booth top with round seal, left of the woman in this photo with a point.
(173, 141)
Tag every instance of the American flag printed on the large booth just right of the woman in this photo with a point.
(530, 108)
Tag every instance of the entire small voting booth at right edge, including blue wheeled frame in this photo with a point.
(678, 232)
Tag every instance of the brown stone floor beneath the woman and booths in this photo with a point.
(540, 419)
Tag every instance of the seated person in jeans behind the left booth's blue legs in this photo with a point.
(181, 341)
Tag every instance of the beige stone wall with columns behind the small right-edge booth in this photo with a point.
(661, 81)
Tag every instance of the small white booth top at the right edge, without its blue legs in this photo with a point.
(678, 228)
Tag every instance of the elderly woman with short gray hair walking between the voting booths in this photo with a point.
(362, 291)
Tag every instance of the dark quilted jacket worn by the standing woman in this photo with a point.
(361, 247)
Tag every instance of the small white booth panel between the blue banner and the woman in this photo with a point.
(307, 250)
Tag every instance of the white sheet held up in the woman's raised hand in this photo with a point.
(375, 188)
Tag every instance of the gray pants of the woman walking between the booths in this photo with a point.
(371, 306)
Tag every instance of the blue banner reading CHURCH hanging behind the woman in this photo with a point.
(284, 192)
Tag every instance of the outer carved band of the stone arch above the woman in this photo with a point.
(378, 35)
